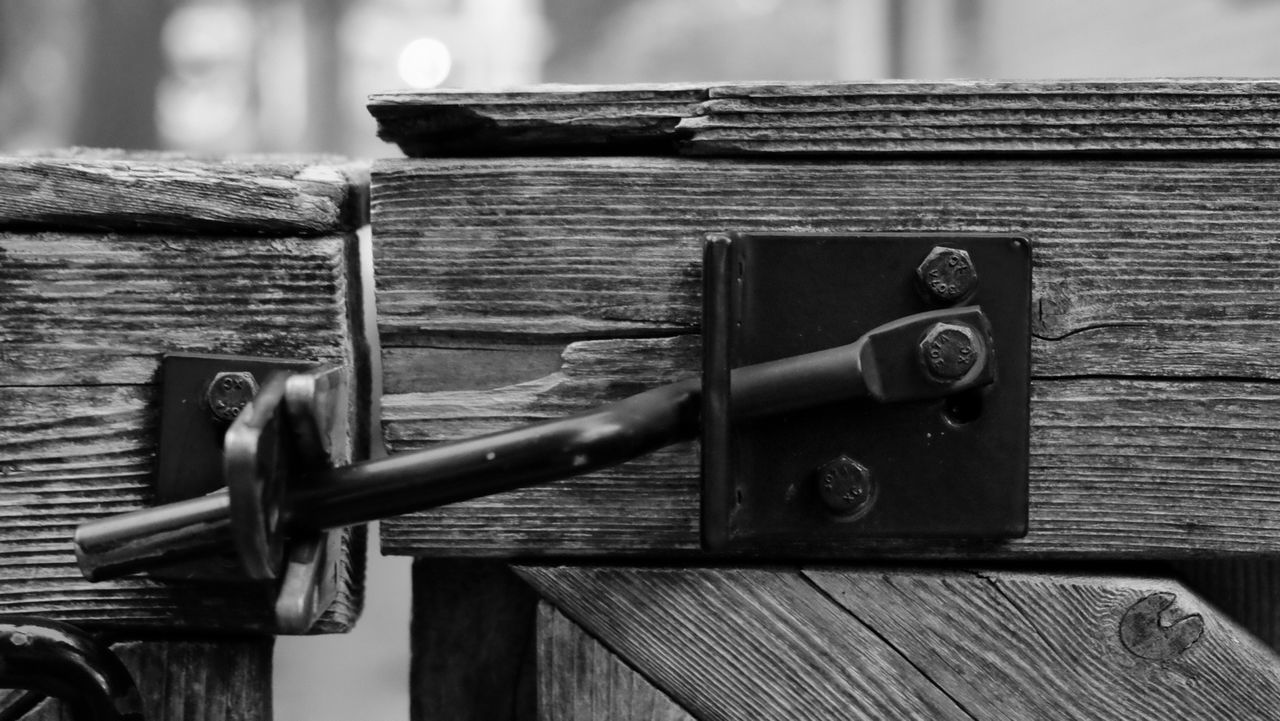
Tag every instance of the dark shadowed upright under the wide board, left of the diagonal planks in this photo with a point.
(473, 644)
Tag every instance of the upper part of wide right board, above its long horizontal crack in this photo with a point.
(1141, 268)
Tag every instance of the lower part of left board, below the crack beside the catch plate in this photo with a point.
(72, 454)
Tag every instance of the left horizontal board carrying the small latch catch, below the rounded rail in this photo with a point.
(86, 320)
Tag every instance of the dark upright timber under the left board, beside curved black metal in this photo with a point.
(194, 681)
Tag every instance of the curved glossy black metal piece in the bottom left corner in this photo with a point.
(58, 660)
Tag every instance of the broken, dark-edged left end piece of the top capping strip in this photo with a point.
(577, 120)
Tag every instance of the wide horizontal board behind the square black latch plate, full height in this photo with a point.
(1154, 314)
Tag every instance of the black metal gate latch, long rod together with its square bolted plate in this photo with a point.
(792, 359)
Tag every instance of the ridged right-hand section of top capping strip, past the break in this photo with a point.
(1167, 116)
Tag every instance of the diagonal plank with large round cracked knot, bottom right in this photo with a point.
(1039, 646)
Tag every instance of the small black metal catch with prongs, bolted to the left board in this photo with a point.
(202, 396)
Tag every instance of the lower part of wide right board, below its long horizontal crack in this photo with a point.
(1119, 468)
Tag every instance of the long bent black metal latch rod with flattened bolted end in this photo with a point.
(897, 362)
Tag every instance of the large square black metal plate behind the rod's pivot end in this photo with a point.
(945, 469)
